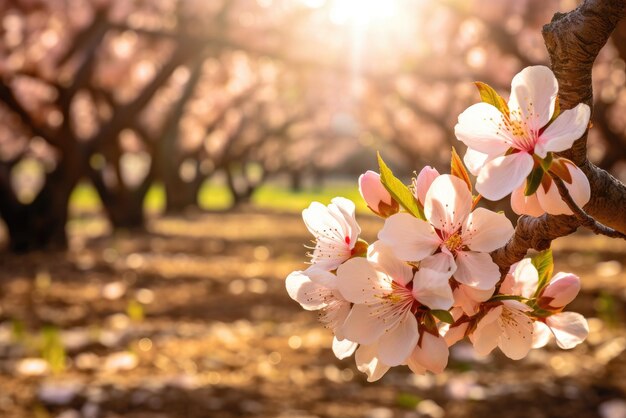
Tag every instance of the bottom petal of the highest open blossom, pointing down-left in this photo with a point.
(503, 174)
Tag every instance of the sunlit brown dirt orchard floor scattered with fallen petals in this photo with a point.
(191, 319)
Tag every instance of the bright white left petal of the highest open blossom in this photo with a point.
(479, 127)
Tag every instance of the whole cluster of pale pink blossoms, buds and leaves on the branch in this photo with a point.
(429, 280)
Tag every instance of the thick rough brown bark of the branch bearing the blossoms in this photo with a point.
(573, 41)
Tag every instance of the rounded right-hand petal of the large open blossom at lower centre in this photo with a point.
(431, 288)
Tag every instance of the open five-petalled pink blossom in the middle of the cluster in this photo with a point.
(453, 241)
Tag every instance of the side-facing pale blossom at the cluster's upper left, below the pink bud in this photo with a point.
(335, 230)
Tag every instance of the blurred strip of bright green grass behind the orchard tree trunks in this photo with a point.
(216, 196)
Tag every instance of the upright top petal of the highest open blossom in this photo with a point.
(533, 96)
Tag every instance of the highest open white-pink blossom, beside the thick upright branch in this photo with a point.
(509, 142)
